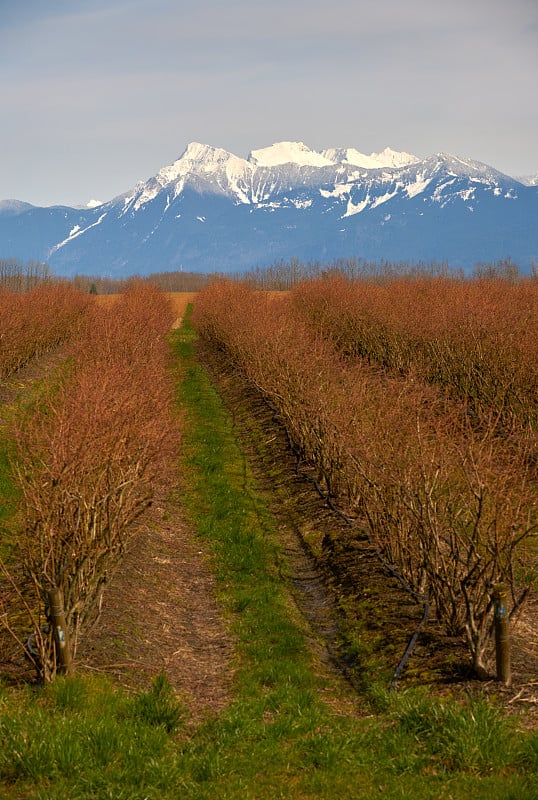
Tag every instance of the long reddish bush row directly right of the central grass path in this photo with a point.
(448, 503)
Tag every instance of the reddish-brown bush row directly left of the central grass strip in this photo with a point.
(88, 453)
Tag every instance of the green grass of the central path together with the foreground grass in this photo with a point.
(278, 738)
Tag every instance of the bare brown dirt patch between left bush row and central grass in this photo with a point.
(160, 614)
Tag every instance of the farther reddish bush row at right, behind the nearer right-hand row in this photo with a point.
(476, 339)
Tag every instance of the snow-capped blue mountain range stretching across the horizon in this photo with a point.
(213, 211)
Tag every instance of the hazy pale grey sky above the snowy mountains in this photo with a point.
(96, 95)
